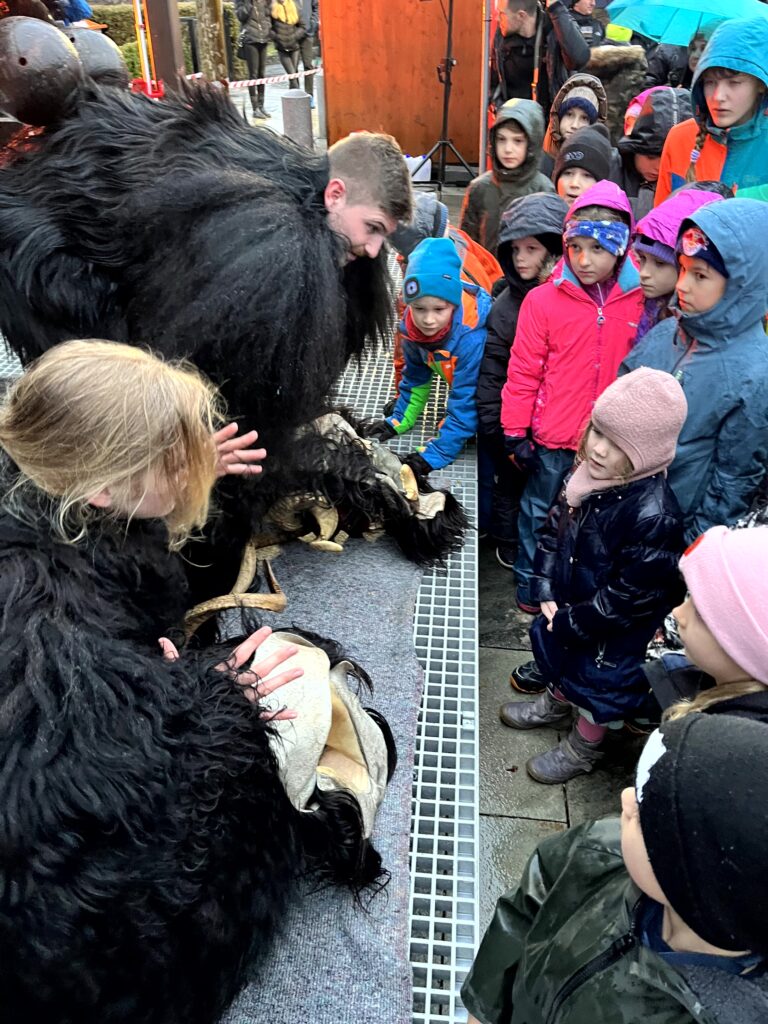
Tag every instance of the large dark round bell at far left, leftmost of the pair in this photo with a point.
(39, 70)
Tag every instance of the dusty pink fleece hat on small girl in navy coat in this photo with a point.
(644, 414)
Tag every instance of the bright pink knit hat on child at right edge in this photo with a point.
(726, 573)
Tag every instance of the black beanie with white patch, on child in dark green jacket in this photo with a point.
(702, 785)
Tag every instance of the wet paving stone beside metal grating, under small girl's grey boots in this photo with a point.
(506, 788)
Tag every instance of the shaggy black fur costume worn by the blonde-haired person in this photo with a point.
(148, 845)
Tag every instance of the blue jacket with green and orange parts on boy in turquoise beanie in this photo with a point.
(457, 360)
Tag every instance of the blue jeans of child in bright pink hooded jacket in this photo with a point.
(541, 493)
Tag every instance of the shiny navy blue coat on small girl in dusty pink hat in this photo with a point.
(612, 566)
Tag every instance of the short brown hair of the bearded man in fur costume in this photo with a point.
(372, 167)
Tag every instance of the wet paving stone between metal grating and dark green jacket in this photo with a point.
(506, 845)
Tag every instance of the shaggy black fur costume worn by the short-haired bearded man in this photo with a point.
(177, 226)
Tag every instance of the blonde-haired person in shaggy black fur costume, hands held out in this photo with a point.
(148, 840)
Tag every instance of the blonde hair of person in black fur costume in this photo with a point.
(91, 416)
